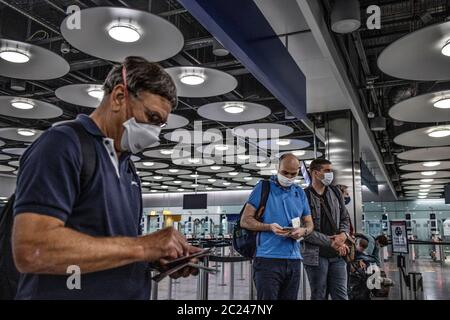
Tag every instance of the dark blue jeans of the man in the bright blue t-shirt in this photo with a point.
(276, 279)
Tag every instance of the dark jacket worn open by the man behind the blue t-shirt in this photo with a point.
(310, 247)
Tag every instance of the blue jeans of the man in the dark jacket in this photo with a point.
(329, 277)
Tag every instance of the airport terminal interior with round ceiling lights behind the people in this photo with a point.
(364, 84)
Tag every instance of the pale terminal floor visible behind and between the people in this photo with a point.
(436, 282)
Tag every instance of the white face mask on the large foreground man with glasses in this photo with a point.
(138, 136)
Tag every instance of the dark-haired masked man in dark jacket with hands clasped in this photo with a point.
(325, 246)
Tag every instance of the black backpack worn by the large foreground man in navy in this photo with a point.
(9, 276)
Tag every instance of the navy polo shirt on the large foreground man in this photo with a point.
(49, 184)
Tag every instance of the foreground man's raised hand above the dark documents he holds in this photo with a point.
(165, 244)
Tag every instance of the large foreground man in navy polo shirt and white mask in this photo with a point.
(60, 227)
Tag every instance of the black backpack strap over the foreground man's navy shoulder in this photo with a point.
(88, 153)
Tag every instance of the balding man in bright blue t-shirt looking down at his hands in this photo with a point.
(277, 262)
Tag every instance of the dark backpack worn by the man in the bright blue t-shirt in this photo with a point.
(244, 241)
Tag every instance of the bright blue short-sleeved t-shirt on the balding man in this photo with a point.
(283, 205)
